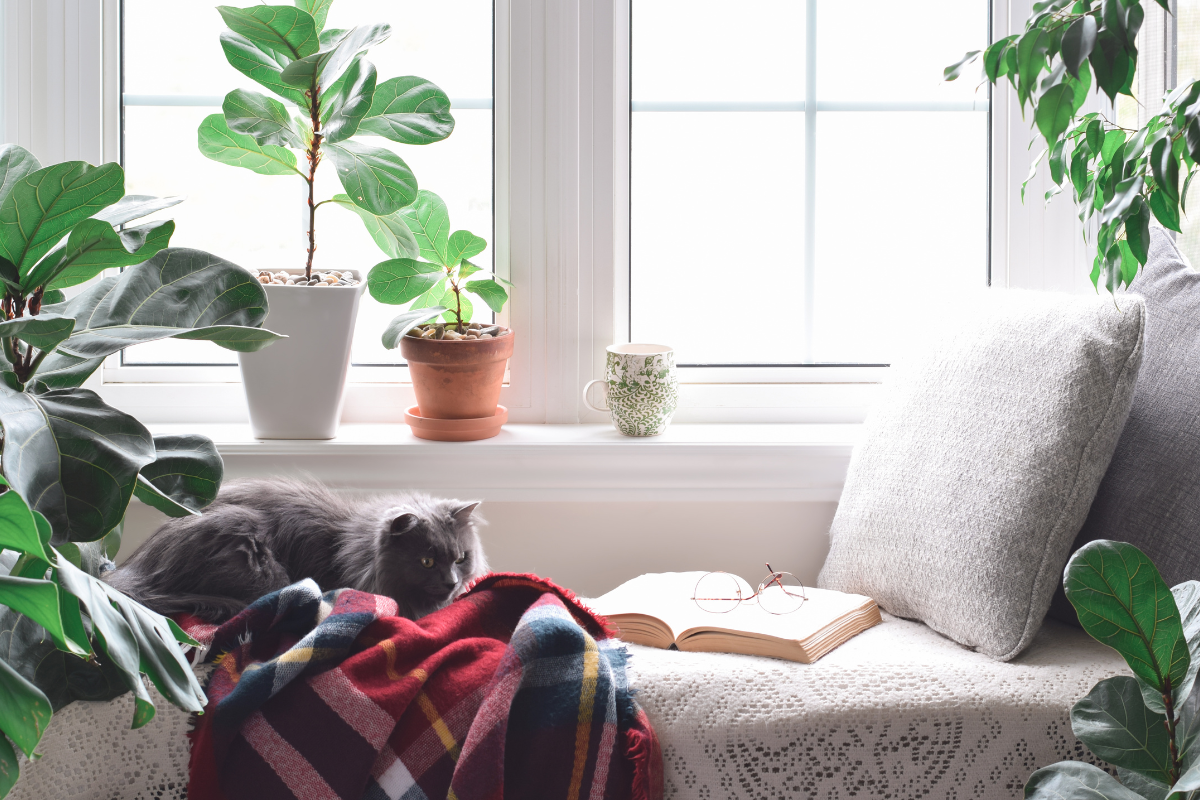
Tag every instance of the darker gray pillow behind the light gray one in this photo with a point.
(1151, 494)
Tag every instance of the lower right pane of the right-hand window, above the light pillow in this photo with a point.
(897, 242)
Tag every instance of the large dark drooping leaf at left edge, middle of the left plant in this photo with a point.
(75, 456)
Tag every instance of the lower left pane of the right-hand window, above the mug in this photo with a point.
(718, 226)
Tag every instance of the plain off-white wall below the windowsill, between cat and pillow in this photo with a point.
(592, 548)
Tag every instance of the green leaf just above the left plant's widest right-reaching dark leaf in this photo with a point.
(95, 246)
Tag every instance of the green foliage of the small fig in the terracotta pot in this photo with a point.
(439, 285)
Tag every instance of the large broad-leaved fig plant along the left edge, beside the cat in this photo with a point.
(70, 464)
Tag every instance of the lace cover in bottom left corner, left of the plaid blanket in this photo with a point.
(89, 753)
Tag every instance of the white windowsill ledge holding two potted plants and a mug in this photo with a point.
(560, 462)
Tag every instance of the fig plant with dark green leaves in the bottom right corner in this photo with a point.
(1147, 726)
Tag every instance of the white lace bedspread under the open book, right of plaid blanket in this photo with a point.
(898, 712)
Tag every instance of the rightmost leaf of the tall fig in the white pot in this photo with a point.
(410, 111)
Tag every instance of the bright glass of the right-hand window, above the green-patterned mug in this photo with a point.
(802, 179)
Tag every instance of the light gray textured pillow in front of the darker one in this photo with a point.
(980, 464)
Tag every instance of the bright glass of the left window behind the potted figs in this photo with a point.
(261, 222)
